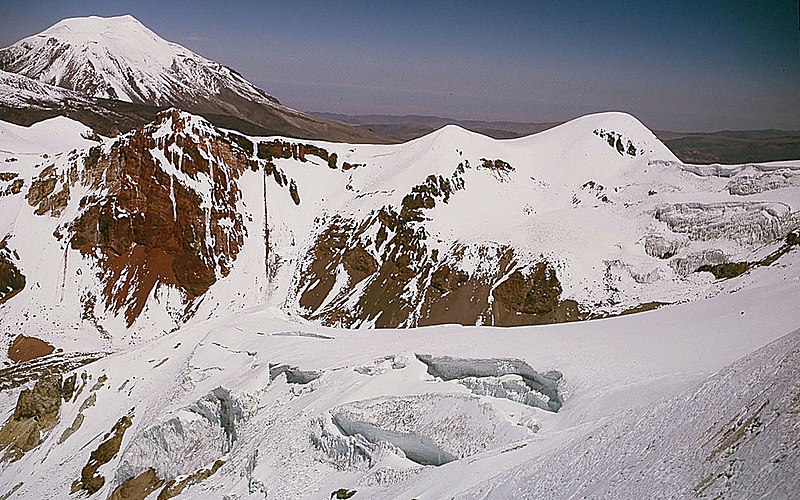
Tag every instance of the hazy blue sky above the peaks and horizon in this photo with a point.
(682, 65)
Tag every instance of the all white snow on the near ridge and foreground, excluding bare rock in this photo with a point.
(647, 397)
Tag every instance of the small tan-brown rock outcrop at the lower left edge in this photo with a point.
(34, 417)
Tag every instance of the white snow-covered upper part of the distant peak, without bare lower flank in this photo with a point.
(119, 58)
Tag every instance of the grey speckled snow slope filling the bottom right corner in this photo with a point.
(738, 440)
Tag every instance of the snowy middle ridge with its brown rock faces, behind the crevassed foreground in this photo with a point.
(591, 219)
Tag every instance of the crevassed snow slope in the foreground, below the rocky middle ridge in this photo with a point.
(678, 402)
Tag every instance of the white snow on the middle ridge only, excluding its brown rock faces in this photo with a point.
(550, 207)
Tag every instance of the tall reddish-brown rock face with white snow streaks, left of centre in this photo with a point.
(161, 209)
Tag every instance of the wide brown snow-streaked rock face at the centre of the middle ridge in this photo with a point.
(380, 271)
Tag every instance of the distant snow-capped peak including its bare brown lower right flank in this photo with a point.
(118, 58)
